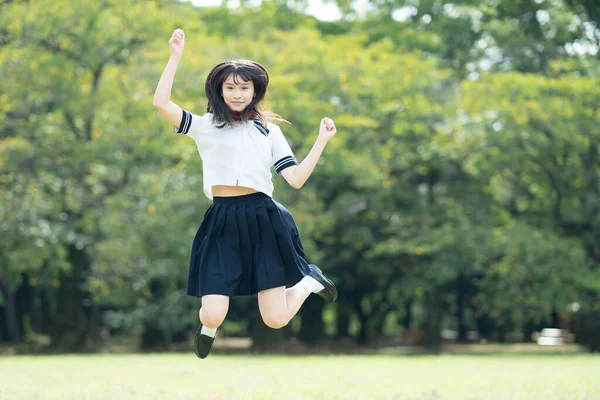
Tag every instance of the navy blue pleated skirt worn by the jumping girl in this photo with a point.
(245, 244)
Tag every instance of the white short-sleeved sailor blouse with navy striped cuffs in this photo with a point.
(239, 155)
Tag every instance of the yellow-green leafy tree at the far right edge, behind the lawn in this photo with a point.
(534, 140)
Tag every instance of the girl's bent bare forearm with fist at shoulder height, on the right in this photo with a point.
(297, 175)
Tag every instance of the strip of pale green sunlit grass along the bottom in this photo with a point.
(182, 376)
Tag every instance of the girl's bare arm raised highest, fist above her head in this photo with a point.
(162, 97)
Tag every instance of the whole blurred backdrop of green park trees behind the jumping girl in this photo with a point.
(459, 202)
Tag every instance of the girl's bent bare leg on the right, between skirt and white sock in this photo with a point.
(279, 305)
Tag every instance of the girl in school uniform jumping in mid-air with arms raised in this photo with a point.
(247, 243)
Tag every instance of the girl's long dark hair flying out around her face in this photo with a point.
(247, 71)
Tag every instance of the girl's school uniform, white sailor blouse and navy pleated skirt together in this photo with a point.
(248, 243)
